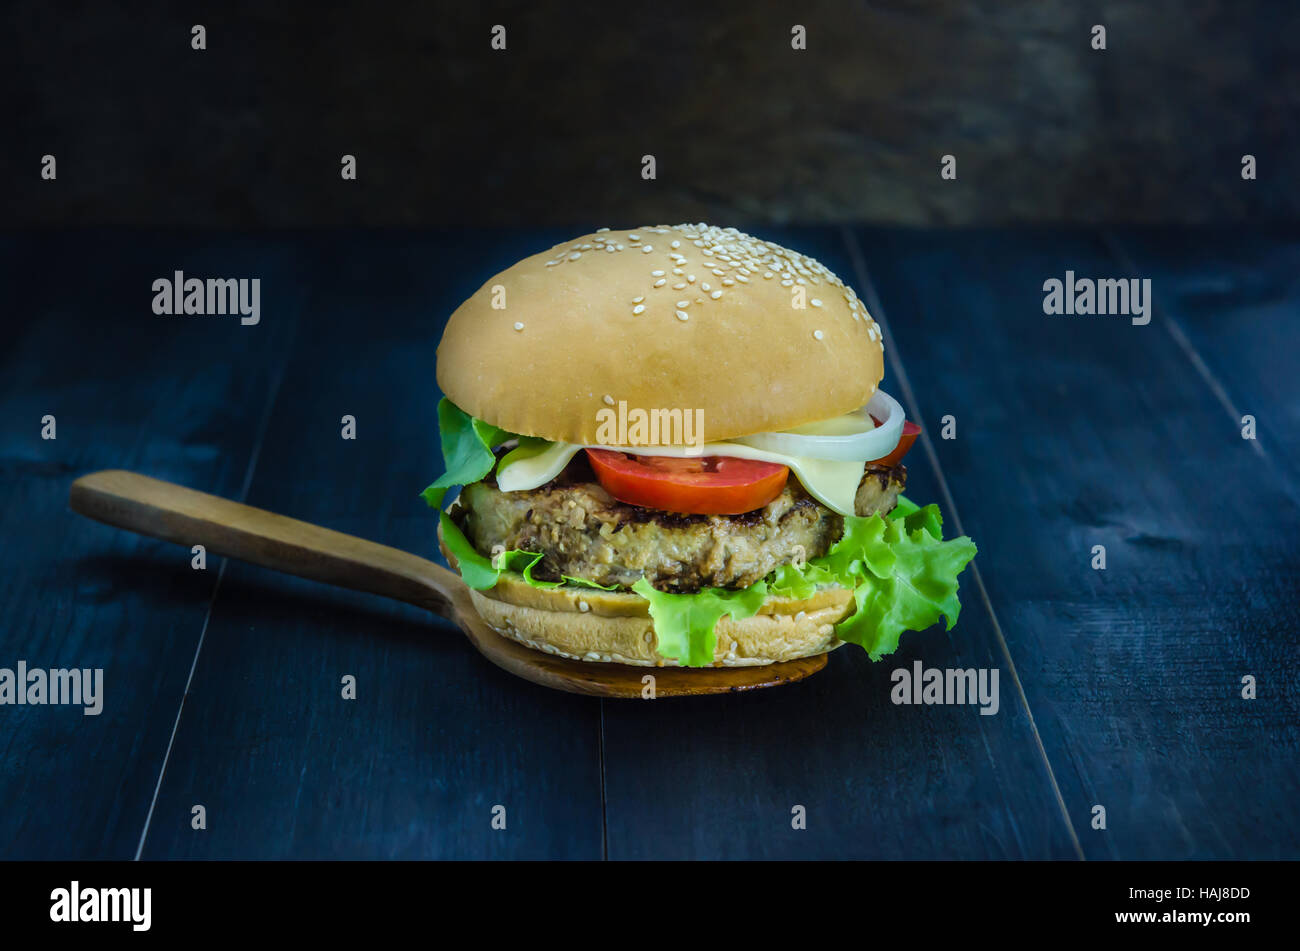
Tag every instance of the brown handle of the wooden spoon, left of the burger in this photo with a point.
(176, 514)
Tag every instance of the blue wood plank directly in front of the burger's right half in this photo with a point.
(718, 778)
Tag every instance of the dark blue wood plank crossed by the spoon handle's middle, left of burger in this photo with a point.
(437, 737)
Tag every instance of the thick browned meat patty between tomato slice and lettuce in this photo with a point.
(587, 533)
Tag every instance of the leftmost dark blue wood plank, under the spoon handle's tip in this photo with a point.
(179, 397)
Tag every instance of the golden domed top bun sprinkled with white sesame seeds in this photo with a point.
(665, 318)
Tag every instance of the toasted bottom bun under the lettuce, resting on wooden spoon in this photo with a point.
(616, 627)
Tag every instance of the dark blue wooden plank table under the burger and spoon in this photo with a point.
(1120, 688)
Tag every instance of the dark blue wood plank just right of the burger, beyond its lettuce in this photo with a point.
(1076, 432)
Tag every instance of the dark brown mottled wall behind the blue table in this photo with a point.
(447, 132)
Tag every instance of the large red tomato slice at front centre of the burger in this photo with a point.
(700, 485)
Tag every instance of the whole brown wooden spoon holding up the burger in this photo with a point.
(175, 514)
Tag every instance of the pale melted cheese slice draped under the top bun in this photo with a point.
(833, 483)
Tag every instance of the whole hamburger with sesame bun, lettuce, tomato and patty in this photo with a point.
(671, 449)
